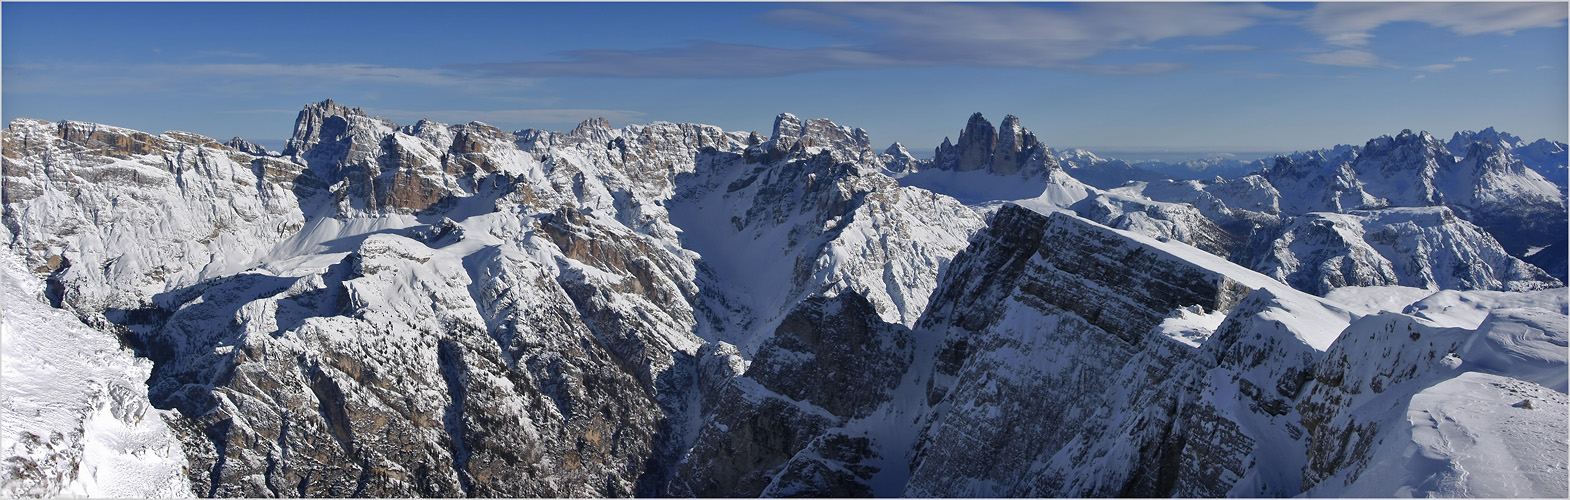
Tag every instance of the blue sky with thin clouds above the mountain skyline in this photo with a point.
(1103, 76)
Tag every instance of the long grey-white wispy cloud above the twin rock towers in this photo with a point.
(921, 35)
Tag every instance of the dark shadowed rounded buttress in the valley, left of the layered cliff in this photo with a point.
(831, 361)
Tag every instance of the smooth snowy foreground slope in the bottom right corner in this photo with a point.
(1428, 406)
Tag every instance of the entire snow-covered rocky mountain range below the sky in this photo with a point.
(679, 311)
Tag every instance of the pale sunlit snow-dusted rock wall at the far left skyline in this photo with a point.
(114, 216)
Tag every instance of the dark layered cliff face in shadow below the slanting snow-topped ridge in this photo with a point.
(1026, 333)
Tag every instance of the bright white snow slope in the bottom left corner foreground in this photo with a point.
(75, 408)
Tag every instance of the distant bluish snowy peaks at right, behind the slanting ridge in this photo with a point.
(1505, 219)
